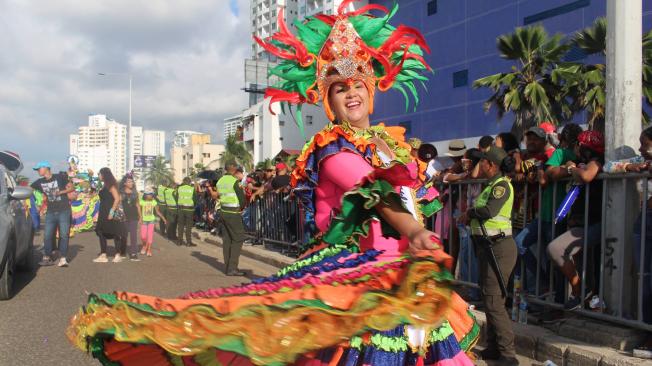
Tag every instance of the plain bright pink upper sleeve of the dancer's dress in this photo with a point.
(345, 169)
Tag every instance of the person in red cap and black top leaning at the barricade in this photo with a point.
(590, 153)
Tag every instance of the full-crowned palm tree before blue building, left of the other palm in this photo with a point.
(528, 90)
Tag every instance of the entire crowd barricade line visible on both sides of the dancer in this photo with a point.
(616, 270)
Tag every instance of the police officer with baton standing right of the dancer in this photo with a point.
(493, 209)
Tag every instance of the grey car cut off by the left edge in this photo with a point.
(16, 231)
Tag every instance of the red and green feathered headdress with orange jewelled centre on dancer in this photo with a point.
(345, 47)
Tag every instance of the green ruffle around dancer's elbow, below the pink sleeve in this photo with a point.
(358, 209)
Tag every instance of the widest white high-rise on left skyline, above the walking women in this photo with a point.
(101, 144)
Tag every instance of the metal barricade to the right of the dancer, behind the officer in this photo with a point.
(595, 262)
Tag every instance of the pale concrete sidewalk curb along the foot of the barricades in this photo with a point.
(531, 341)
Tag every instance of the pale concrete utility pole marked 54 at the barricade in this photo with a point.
(622, 130)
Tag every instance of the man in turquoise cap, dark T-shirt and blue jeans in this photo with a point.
(55, 189)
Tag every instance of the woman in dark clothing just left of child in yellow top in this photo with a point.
(130, 204)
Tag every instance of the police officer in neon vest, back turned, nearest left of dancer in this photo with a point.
(231, 203)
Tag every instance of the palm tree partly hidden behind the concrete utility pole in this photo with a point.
(586, 84)
